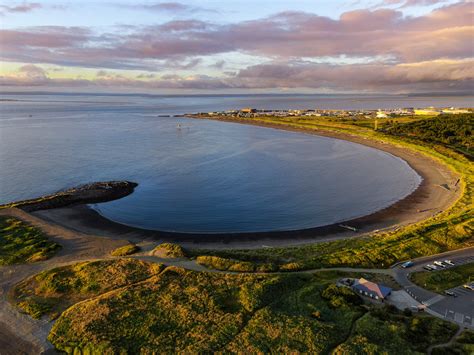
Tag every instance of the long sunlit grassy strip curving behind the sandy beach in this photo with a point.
(449, 230)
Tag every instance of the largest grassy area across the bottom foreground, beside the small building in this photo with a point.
(194, 312)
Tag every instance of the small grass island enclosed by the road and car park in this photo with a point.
(438, 281)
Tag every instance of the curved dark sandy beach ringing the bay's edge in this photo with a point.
(427, 200)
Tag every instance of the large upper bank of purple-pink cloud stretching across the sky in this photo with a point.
(444, 33)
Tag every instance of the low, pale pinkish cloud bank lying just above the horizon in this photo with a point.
(417, 76)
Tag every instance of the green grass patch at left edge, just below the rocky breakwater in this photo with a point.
(22, 243)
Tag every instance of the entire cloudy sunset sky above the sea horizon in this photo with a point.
(258, 46)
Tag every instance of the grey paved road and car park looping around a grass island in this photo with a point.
(459, 309)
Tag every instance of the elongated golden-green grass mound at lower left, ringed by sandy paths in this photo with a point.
(52, 291)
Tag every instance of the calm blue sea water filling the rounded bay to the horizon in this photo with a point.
(205, 177)
